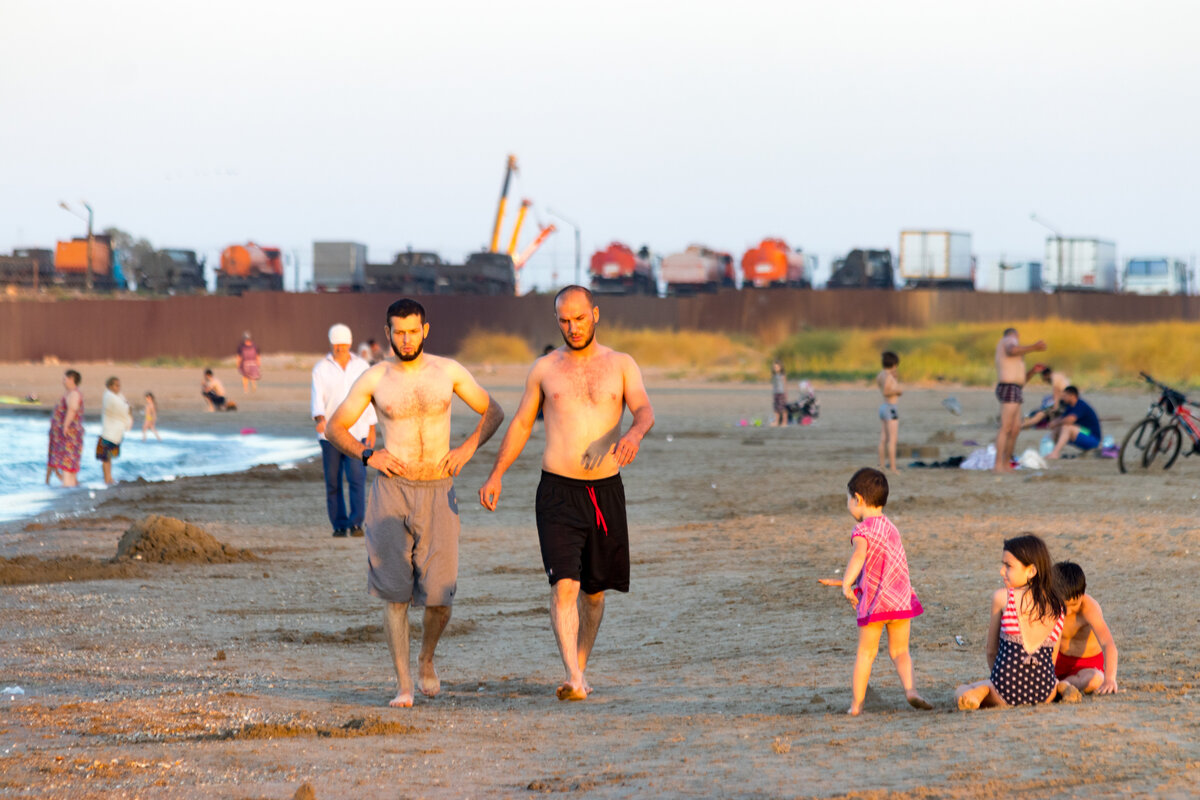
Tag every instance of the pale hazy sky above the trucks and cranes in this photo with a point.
(833, 125)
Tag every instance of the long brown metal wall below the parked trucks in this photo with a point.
(211, 327)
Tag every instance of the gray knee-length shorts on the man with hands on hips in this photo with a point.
(412, 537)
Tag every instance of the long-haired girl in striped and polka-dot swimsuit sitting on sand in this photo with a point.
(1028, 610)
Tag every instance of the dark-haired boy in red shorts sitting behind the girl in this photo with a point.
(1088, 657)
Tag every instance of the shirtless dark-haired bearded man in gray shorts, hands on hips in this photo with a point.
(412, 524)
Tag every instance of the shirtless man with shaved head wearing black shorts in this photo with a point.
(584, 389)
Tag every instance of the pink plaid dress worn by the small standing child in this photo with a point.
(884, 590)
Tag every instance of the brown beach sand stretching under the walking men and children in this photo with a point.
(724, 673)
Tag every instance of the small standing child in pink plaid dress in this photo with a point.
(877, 585)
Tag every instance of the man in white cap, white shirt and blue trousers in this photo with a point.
(332, 381)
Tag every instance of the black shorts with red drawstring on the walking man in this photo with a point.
(583, 532)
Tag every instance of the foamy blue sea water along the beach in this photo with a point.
(25, 442)
